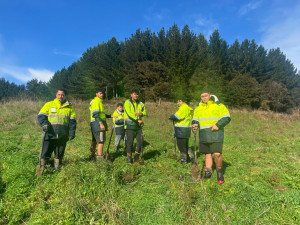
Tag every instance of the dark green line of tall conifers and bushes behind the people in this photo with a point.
(176, 62)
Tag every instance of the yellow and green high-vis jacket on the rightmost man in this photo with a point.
(208, 114)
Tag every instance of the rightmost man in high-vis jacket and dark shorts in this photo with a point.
(211, 117)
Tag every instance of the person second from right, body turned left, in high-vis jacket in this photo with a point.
(182, 127)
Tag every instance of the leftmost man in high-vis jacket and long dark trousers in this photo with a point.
(57, 119)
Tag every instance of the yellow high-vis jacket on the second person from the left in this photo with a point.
(97, 114)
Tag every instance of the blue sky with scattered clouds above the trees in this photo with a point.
(39, 37)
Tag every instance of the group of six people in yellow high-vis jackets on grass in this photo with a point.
(57, 119)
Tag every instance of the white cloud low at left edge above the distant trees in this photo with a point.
(23, 74)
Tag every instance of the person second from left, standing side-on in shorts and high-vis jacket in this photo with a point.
(98, 125)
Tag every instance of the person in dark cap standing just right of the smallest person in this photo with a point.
(134, 111)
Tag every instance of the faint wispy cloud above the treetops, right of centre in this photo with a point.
(204, 25)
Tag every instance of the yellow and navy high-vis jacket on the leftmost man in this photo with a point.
(60, 118)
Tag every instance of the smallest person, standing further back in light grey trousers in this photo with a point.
(119, 125)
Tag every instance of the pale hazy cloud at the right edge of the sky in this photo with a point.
(285, 35)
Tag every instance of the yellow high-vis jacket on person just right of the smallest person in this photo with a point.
(130, 109)
